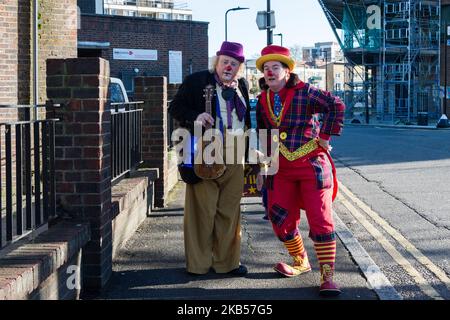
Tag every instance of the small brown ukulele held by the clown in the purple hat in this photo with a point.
(204, 167)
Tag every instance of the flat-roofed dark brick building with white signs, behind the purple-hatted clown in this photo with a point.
(156, 40)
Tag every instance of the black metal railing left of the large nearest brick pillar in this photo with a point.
(27, 176)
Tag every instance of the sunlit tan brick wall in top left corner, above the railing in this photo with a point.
(57, 38)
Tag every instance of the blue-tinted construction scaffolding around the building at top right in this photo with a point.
(392, 58)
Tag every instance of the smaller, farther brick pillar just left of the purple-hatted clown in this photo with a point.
(153, 91)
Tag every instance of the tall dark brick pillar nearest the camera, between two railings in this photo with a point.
(82, 159)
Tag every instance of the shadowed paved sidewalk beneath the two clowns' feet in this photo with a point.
(151, 264)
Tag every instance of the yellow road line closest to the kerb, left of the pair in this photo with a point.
(390, 249)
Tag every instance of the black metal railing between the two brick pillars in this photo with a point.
(126, 138)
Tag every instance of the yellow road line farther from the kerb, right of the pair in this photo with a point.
(426, 262)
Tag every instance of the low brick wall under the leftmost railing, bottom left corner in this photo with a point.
(46, 267)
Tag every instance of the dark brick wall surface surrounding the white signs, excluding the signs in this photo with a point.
(190, 37)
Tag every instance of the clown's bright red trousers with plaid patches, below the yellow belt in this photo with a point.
(302, 184)
